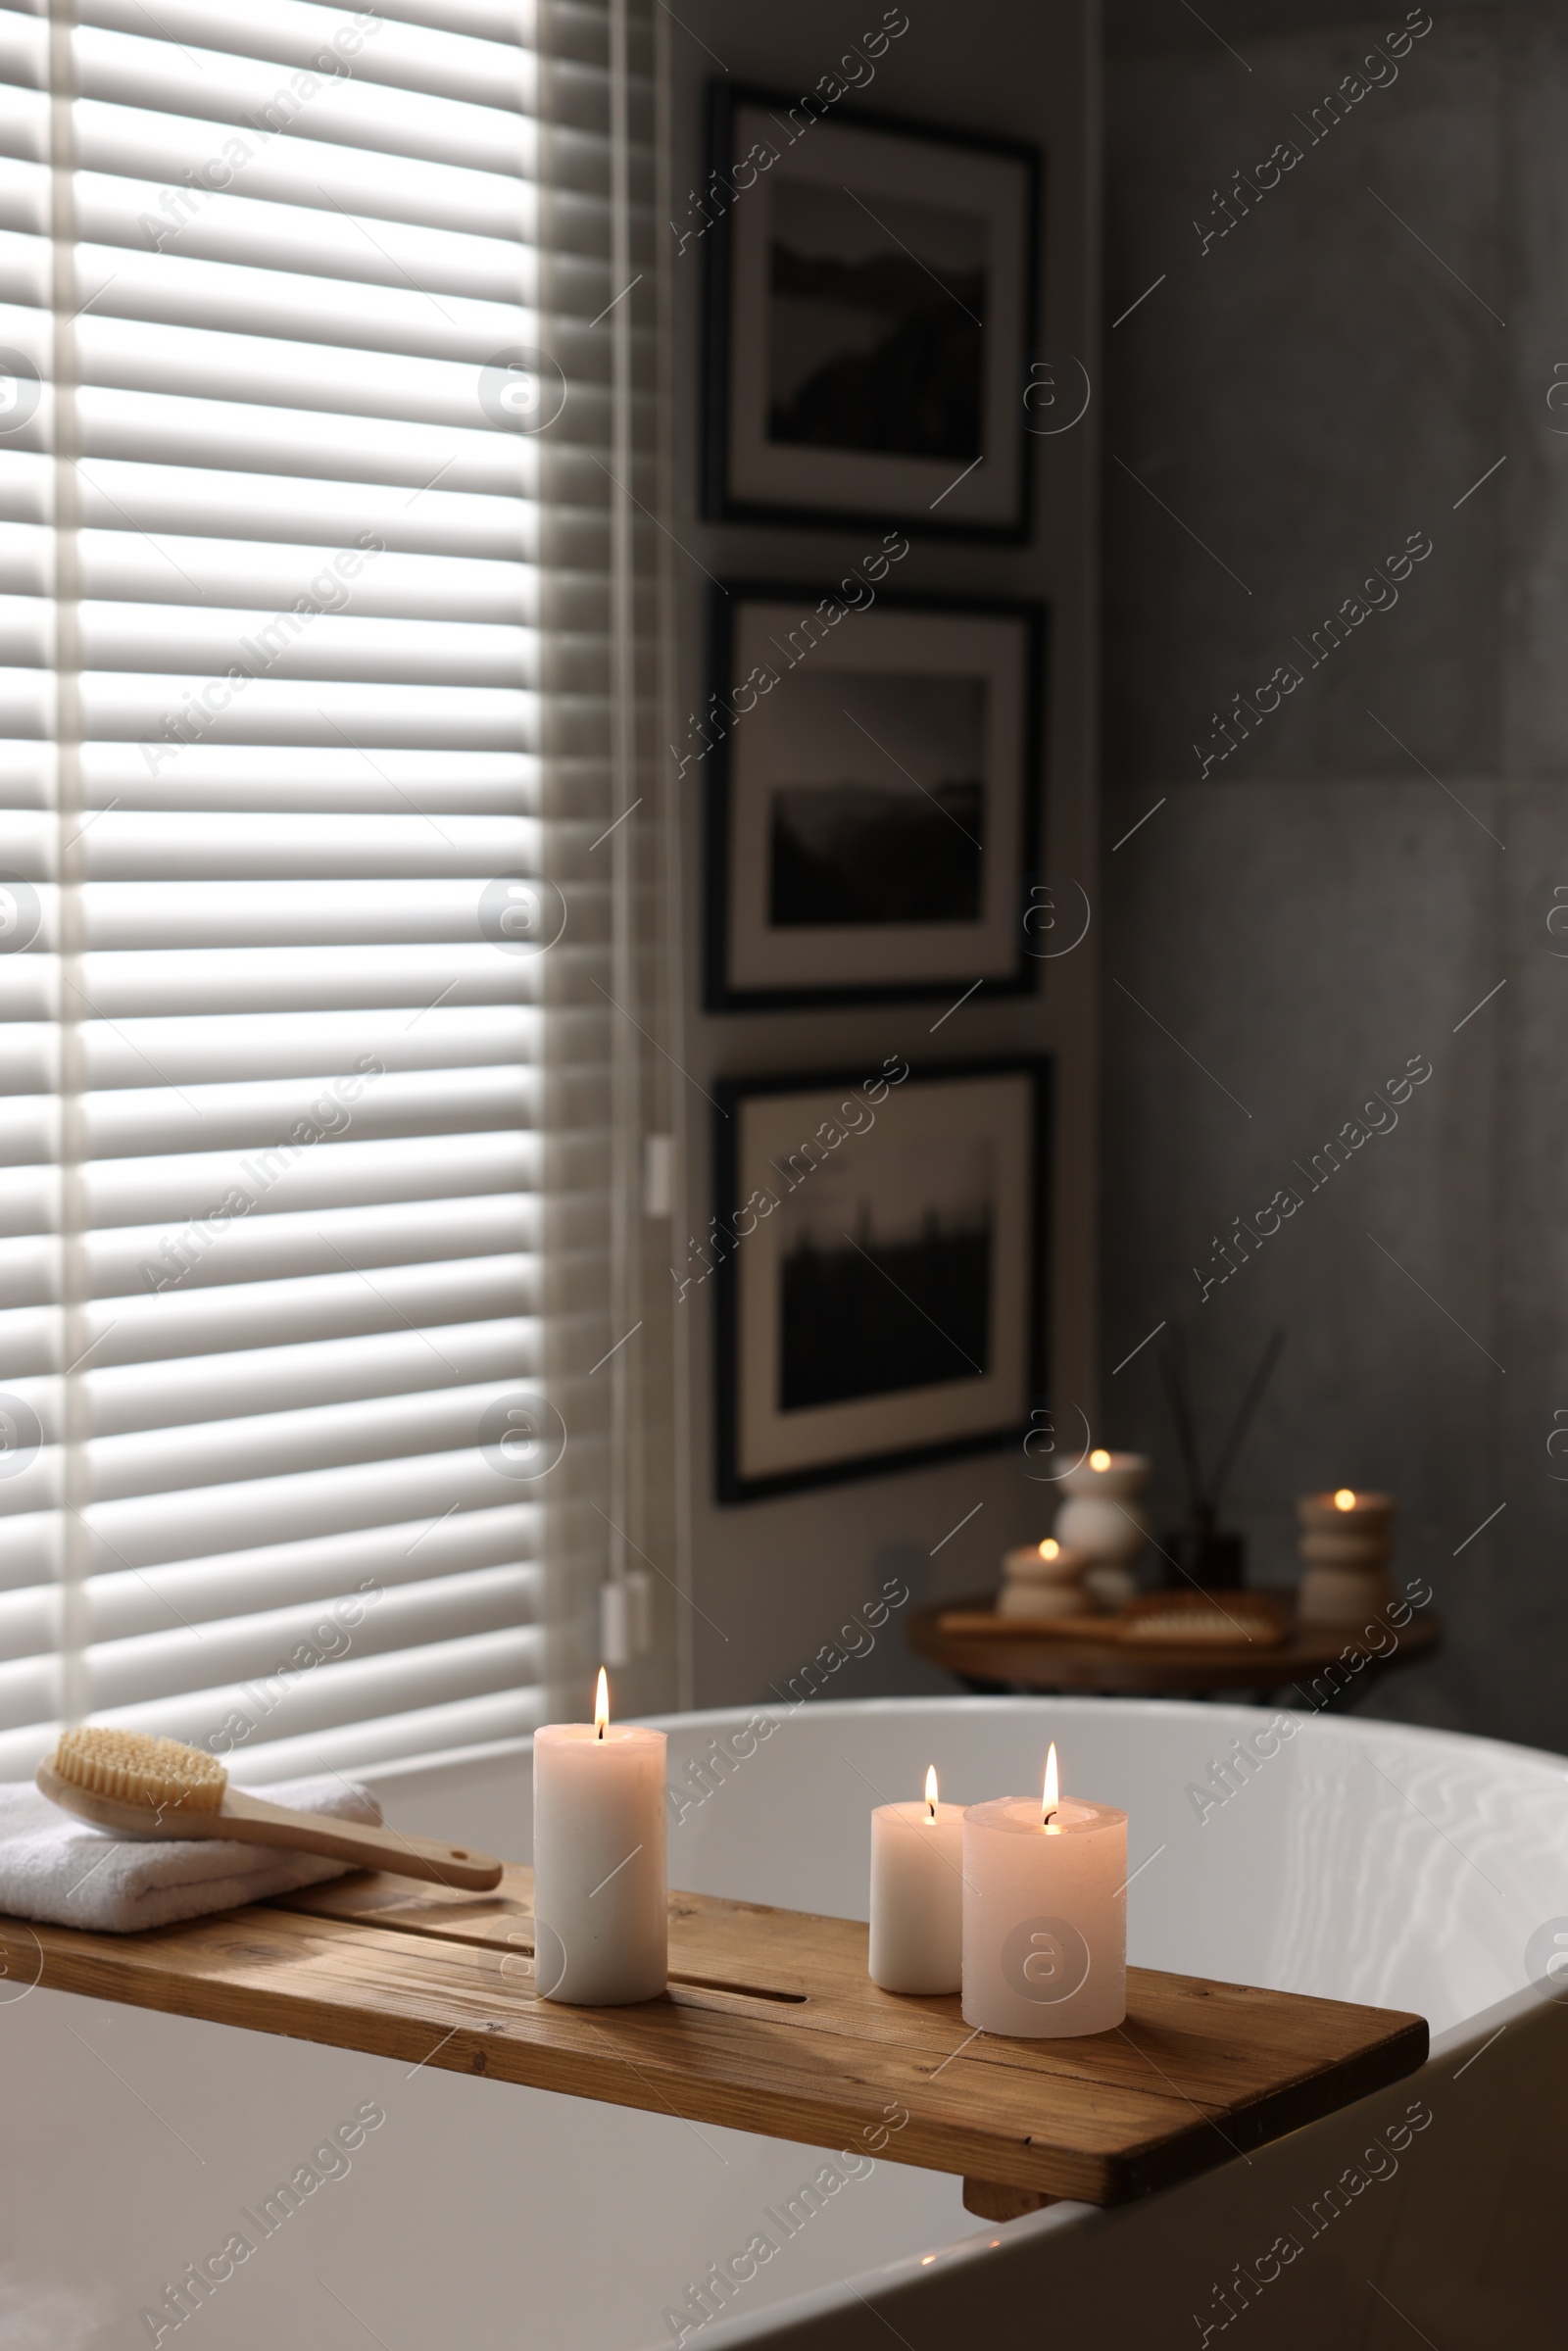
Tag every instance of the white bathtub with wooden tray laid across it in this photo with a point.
(1365, 1863)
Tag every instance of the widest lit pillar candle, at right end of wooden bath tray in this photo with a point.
(1045, 1917)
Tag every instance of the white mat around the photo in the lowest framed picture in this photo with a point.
(772, 1127)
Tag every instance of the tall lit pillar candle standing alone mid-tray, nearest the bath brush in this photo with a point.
(601, 1915)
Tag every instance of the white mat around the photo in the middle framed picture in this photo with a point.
(885, 953)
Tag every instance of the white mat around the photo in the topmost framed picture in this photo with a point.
(864, 481)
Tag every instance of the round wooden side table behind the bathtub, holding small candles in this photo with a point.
(1320, 1666)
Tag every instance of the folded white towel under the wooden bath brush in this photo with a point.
(74, 1875)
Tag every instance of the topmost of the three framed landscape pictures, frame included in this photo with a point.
(871, 314)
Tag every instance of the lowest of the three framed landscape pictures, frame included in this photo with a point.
(880, 1282)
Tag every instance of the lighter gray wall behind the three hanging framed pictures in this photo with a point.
(775, 1581)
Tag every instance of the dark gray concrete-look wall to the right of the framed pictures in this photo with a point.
(1358, 876)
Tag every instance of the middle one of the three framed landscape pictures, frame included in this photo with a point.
(873, 812)
